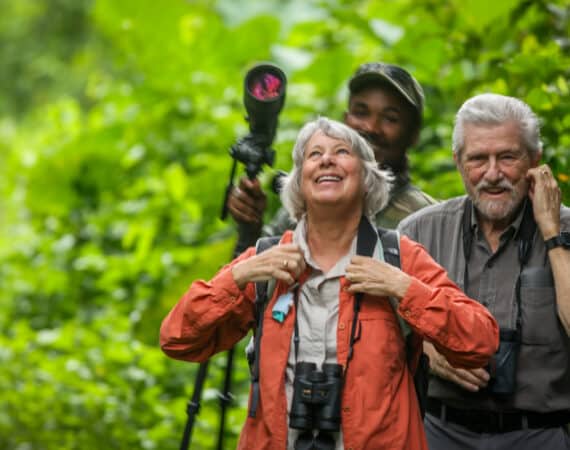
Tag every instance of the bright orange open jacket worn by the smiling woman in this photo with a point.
(379, 405)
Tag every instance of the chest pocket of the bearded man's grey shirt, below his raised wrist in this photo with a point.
(540, 323)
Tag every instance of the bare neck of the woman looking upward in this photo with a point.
(329, 236)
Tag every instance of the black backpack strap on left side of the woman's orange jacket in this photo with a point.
(260, 301)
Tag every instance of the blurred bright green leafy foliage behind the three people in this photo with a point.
(115, 123)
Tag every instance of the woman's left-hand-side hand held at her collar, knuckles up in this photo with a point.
(282, 262)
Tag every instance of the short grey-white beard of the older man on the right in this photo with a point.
(498, 210)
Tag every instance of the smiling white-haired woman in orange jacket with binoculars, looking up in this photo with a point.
(331, 357)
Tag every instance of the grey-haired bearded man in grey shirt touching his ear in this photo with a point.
(507, 244)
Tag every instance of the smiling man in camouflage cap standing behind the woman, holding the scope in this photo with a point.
(385, 105)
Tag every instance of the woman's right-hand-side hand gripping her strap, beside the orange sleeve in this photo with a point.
(378, 278)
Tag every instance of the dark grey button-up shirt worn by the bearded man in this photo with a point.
(543, 374)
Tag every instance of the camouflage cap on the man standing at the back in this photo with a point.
(393, 75)
